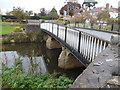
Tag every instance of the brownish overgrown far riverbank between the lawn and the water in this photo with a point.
(22, 37)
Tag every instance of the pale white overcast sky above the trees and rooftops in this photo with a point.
(35, 5)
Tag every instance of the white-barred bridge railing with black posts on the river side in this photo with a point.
(83, 46)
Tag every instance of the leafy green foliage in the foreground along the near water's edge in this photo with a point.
(15, 78)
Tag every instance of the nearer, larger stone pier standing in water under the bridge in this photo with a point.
(67, 61)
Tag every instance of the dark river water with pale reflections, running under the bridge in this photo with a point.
(36, 58)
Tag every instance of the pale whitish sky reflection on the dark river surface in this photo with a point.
(30, 65)
